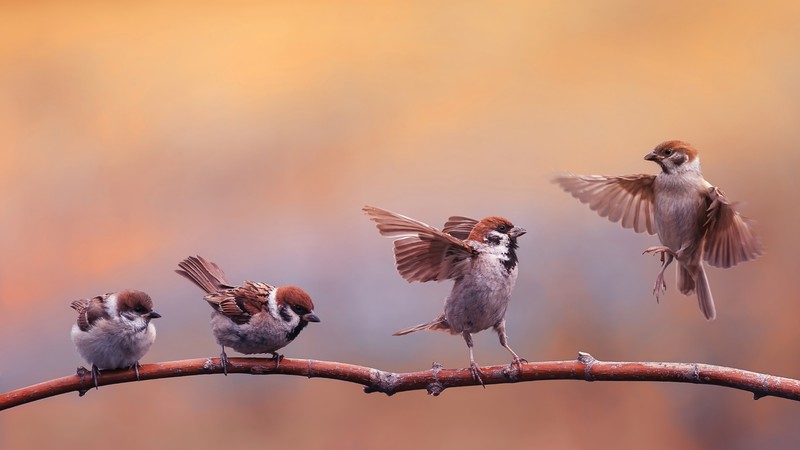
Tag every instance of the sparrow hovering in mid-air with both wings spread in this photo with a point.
(694, 220)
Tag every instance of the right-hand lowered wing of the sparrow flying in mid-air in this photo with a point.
(729, 240)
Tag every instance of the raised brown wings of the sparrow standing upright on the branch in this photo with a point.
(422, 253)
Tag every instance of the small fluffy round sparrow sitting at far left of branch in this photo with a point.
(114, 330)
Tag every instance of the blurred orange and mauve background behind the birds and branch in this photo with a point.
(252, 134)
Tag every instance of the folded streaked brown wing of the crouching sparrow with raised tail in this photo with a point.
(242, 302)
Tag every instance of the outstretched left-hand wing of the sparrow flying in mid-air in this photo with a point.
(626, 199)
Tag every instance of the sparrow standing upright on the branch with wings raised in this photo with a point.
(480, 256)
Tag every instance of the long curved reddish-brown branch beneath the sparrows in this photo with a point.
(434, 380)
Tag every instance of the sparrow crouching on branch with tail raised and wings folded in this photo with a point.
(253, 318)
